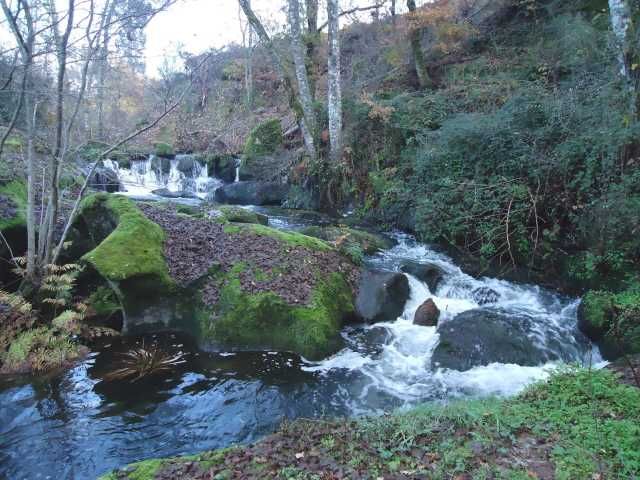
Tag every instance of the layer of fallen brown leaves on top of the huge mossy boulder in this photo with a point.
(193, 246)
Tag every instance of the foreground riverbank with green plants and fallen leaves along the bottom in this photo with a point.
(579, 424)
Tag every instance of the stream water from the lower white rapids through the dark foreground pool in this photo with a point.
(79, 424)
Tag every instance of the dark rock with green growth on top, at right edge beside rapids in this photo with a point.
(612, 320)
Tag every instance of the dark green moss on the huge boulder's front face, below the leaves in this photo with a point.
(266, 320)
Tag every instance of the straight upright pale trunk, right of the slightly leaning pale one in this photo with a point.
(334, 100)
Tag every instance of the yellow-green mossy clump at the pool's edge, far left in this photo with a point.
(38, 350)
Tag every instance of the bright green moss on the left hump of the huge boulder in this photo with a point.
(134, 249)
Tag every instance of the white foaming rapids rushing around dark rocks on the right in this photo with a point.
(402, 368)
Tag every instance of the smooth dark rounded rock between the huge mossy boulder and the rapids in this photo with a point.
(382, 295)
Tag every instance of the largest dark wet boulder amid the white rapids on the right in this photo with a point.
(482, 336)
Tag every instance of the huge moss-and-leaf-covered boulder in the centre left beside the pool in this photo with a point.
(235, 285)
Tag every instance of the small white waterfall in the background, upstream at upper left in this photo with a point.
(182, 176)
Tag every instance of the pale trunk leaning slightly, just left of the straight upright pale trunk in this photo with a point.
(301, 75)
